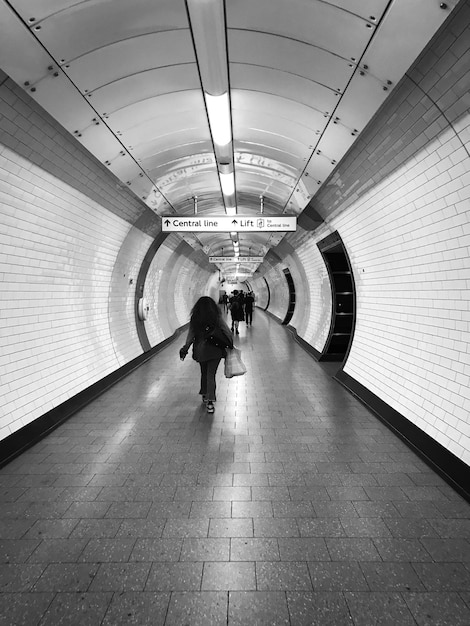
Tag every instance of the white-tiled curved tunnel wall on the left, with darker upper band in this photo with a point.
(69, 259)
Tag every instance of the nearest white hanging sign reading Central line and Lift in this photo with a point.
(228, 223)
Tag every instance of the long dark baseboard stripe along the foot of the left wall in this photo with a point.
(22, 439)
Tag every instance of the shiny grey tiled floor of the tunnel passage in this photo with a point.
(292, 504)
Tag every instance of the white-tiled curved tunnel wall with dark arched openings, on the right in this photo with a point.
(401, 202)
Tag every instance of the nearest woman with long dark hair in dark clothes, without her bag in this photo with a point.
(210, 337)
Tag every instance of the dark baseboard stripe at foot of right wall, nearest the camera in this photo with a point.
(447, 465)
